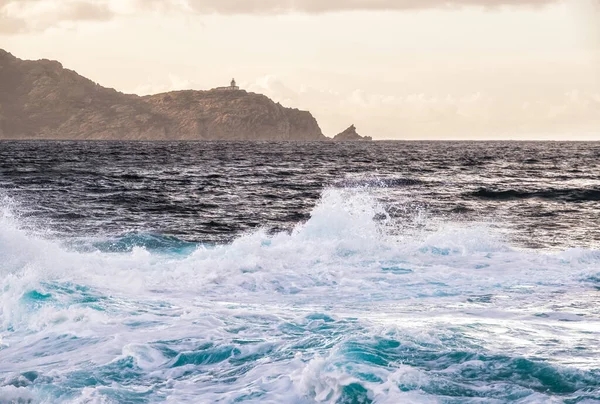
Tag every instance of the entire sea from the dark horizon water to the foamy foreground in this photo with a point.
(254, 272)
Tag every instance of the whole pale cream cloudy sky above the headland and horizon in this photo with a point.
(398, 69)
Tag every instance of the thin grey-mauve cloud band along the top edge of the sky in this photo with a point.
(17, 16)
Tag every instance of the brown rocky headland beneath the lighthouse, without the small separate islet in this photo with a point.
(43, 100)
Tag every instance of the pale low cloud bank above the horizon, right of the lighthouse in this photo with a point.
(431, 115)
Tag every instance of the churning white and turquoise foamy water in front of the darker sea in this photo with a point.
(344, 309)
